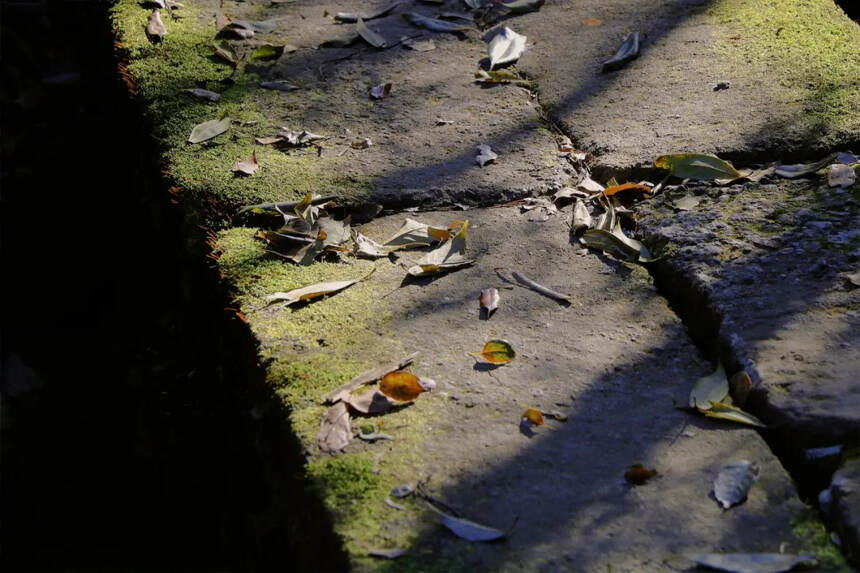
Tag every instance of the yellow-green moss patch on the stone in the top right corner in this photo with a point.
(810, 47)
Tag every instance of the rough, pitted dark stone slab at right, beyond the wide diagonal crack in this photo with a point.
(769, 263)
